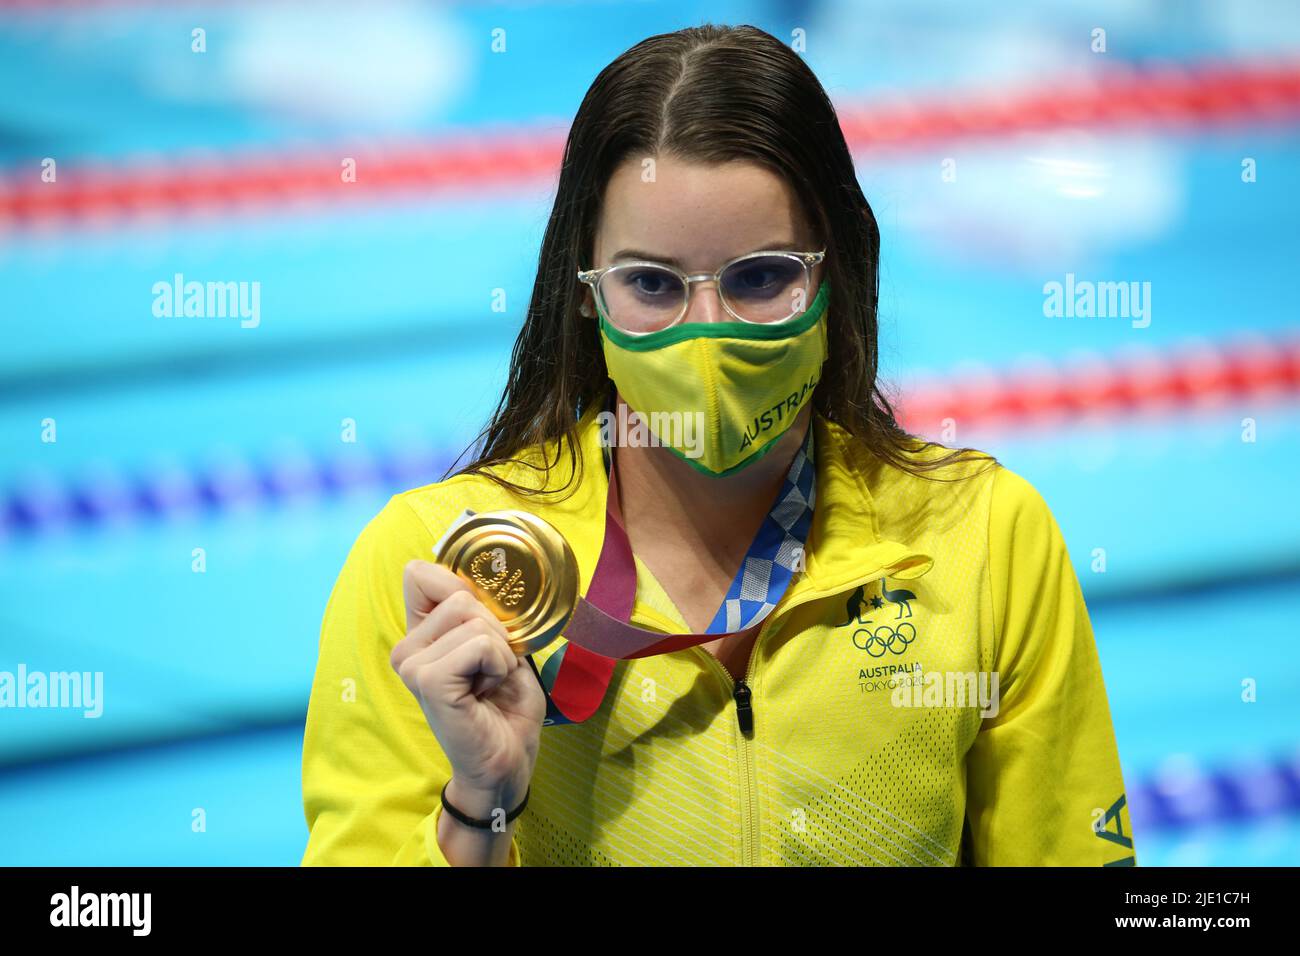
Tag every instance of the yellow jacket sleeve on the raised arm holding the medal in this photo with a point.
(372, 768)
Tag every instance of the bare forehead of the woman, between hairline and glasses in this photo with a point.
(699, 214)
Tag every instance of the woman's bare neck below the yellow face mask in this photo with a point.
(666, 501)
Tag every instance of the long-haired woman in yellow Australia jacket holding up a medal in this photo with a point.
(904, 672)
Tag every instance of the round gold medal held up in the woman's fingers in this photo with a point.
(521, 568)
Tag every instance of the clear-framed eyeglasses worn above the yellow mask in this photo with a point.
(762, 288)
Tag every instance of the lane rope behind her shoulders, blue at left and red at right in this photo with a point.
(1249, 375)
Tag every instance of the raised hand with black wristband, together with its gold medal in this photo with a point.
(491, 598)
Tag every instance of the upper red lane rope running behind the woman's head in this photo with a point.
(1163, 98)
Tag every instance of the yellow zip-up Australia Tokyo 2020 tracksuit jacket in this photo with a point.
(838, 769)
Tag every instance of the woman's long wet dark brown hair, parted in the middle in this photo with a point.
(707, 94)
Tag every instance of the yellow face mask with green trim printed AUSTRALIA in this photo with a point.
(720, 395)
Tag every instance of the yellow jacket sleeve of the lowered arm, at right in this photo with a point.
(1045, 785)
